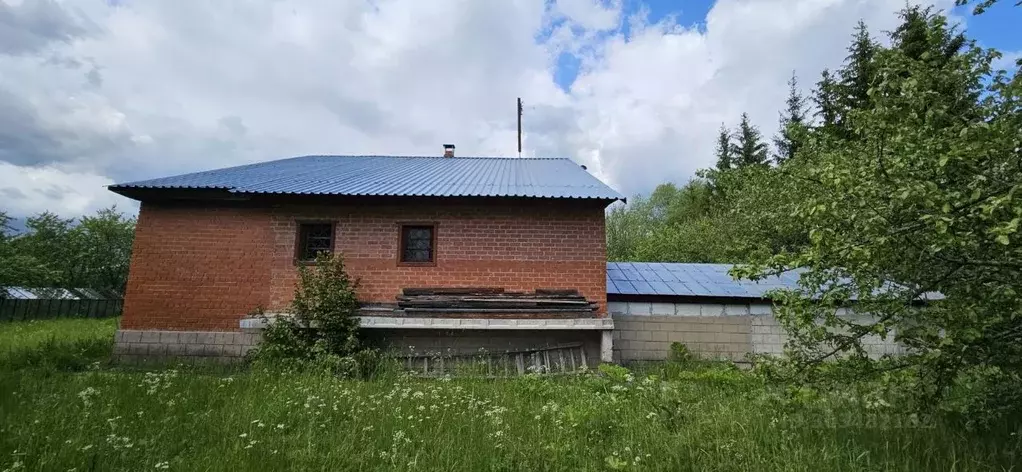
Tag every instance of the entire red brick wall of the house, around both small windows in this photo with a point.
(200, 268)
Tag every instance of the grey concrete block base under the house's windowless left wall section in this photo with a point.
(142, 346)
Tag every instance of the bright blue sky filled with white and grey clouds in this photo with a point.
(95, 92)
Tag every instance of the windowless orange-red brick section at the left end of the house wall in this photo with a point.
(198, 269)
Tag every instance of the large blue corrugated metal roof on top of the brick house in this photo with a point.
(397, 176)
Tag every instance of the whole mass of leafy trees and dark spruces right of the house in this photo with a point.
(906, 186)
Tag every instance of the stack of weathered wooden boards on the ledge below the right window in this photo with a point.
(430, 302)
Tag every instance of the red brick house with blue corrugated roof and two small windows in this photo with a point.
(213, 247)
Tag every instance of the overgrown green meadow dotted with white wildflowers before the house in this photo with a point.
(63, 408)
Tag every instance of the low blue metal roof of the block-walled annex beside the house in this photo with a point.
(710, 280)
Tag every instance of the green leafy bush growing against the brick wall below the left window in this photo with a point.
(322, 331)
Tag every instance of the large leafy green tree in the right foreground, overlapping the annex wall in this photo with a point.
(922, 197)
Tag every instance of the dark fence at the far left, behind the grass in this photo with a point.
(51, 309)
